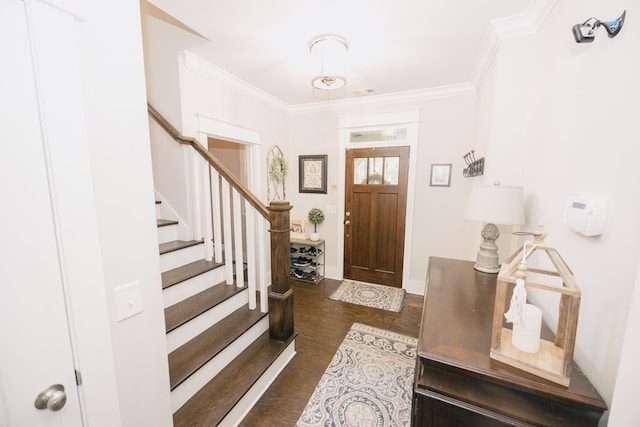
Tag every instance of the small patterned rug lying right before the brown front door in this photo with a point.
(370, 295)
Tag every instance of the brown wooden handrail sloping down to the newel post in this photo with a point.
(222, 170)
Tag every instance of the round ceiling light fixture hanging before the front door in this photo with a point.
(332, 51)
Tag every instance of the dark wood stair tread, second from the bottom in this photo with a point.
(187, 359)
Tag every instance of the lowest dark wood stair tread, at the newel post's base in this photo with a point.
(217, 398)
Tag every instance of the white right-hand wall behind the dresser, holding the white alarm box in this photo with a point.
(561, 119)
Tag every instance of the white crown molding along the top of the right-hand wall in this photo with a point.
(507, 28)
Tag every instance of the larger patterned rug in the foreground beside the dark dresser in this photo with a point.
(368, 383)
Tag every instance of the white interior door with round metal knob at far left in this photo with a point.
(36, 344)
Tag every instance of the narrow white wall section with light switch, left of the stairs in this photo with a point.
(118, 133)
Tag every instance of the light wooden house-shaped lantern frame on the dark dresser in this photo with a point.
(554, 359)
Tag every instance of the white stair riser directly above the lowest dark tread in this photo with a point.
(195, 382)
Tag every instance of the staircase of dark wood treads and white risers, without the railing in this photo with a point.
(221, 357)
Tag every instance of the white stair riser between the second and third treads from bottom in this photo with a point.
(196, 326)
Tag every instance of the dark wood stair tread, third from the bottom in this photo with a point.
(190, 308)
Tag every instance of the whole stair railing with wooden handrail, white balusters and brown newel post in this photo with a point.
(218, 206)
